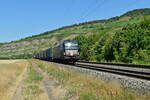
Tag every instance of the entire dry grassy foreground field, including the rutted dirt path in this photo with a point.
(41, 80)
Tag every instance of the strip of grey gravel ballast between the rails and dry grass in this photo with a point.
(126, 82)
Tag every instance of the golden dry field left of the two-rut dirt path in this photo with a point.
(9, 71)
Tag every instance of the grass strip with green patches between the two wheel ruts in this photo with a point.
(32, 85)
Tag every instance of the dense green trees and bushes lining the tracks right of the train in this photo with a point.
(130, 45)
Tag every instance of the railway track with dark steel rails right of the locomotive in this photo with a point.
(136, 71)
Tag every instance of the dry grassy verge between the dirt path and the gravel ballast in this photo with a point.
(85, 87)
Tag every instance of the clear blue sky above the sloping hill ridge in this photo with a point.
(23, 18)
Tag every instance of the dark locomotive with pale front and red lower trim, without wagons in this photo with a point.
(67, 51)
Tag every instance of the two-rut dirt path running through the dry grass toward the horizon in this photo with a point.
(50, 88)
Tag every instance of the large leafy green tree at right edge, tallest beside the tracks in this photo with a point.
(133, 42)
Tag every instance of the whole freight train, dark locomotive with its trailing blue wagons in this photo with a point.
(66, 51)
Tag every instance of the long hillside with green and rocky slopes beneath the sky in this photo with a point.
(27, 47)
